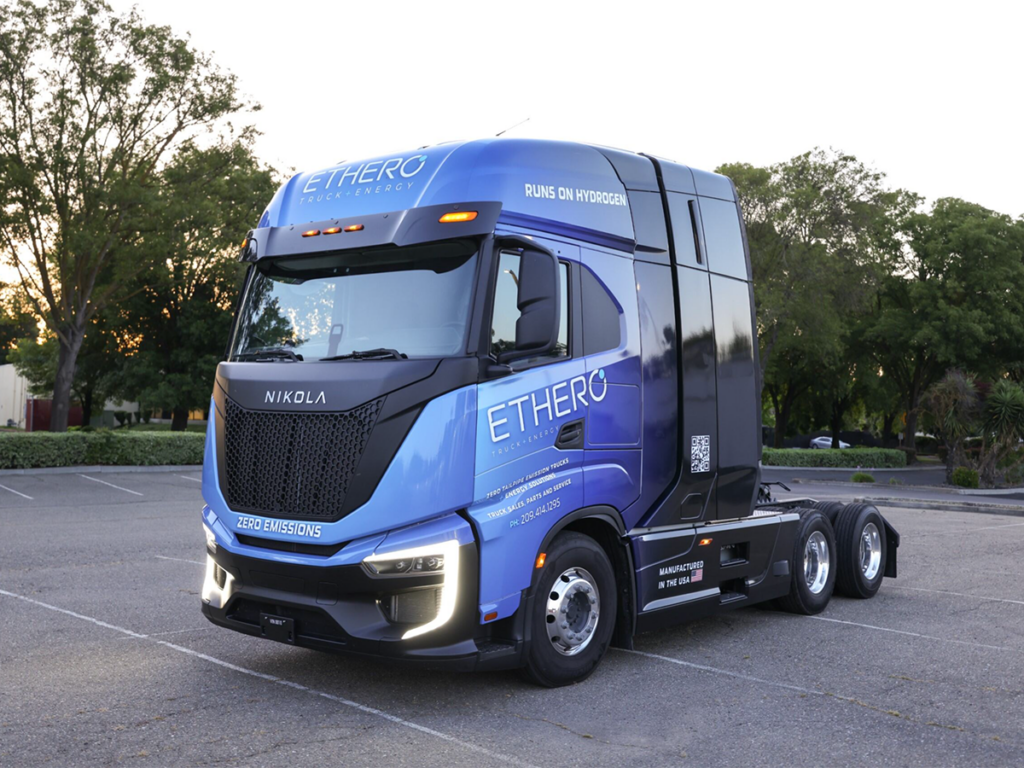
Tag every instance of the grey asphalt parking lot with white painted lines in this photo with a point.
(105, 659)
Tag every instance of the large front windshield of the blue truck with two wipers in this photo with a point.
(414, 301)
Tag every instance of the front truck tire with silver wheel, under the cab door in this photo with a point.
(574, 613)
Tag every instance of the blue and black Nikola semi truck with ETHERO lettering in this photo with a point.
(496, 405)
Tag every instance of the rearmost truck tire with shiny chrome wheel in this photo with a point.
(861, 541)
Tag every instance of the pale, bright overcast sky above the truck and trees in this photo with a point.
(929, 94)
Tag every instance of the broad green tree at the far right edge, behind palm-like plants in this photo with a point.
(954, 297)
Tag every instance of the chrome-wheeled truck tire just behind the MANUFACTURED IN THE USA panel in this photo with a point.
(814, 566)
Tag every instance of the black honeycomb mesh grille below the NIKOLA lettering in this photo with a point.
(294, 465)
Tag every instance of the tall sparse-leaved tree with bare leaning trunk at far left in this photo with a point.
(92, 105)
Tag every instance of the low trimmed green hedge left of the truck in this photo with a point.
(28, 450)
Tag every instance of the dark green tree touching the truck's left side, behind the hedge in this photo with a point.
(183, 317)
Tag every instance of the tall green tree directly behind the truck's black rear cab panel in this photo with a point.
(819, 227)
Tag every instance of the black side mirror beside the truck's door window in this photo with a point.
(538, 301)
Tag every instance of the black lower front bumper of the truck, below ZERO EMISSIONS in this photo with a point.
(344, 610)
